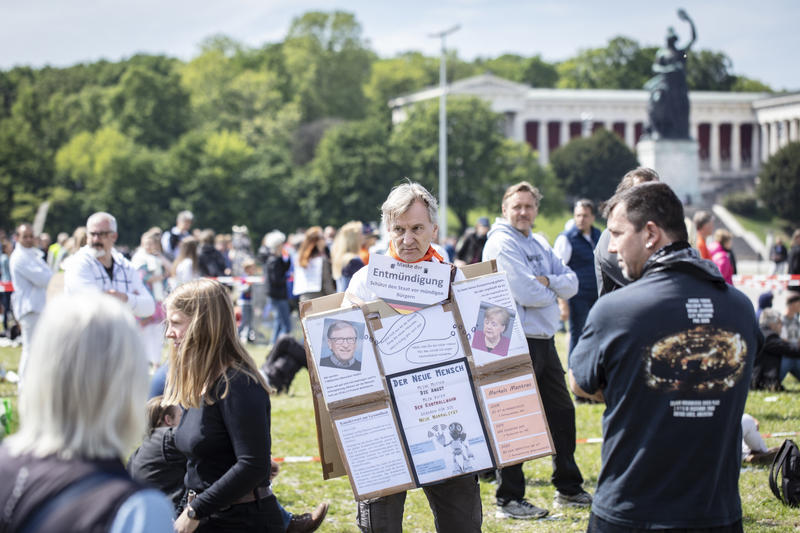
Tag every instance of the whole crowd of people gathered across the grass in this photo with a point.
(651, 281)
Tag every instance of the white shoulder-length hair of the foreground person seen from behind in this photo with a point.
(86, 381)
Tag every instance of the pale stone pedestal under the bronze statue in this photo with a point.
(677, 161)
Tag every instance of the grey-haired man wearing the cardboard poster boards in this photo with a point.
(409, 214)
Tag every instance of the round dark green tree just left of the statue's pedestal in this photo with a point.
(592, 167)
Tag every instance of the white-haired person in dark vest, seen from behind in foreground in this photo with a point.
(80, 414)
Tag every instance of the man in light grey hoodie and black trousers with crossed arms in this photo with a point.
(537, 278)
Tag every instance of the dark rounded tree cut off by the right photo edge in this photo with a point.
(779, 183)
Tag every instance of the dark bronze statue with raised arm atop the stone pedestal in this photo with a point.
(668, 108)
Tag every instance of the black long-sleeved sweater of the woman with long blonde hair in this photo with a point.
(227, 444)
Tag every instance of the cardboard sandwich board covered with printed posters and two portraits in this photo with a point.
(406, 396)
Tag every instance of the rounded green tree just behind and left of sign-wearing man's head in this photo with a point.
(350, 175)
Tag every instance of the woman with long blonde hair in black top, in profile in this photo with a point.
(225, 428)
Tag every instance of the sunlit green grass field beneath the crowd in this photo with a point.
(300, 486)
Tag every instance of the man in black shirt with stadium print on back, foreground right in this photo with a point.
(671, 355)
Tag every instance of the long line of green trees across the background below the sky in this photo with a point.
(287, 134)
